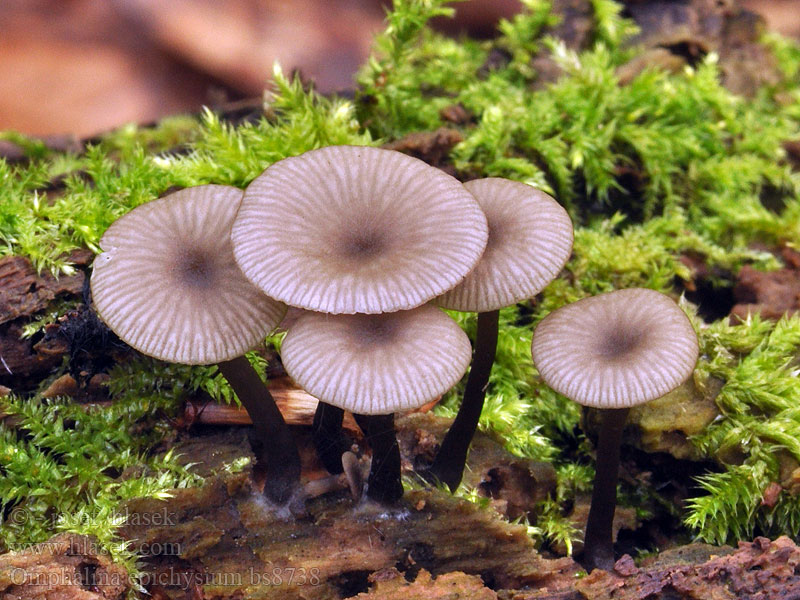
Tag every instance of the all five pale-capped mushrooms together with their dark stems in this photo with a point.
(367, 244)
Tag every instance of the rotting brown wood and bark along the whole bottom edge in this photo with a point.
(221, 541)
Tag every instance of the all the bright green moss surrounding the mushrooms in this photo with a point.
(665, 165)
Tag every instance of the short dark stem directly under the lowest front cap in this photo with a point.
(384, 483)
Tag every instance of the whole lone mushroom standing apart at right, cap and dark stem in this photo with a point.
(611, 352)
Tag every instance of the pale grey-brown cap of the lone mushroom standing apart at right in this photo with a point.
(617, 349)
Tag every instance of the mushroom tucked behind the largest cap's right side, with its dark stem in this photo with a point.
(530, 240)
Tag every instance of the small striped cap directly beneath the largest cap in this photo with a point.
(376, 364)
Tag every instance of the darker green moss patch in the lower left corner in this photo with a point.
(68, 467)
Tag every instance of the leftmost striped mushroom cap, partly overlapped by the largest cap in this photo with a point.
(167, 283)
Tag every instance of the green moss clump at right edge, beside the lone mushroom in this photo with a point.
(759, 400)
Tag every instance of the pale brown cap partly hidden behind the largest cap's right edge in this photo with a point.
(530, 240)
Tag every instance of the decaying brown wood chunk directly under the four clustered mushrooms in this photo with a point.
(224, 538)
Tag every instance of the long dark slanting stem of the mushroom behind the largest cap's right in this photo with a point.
(448, 466)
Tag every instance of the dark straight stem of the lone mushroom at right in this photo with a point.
(598, 546)
